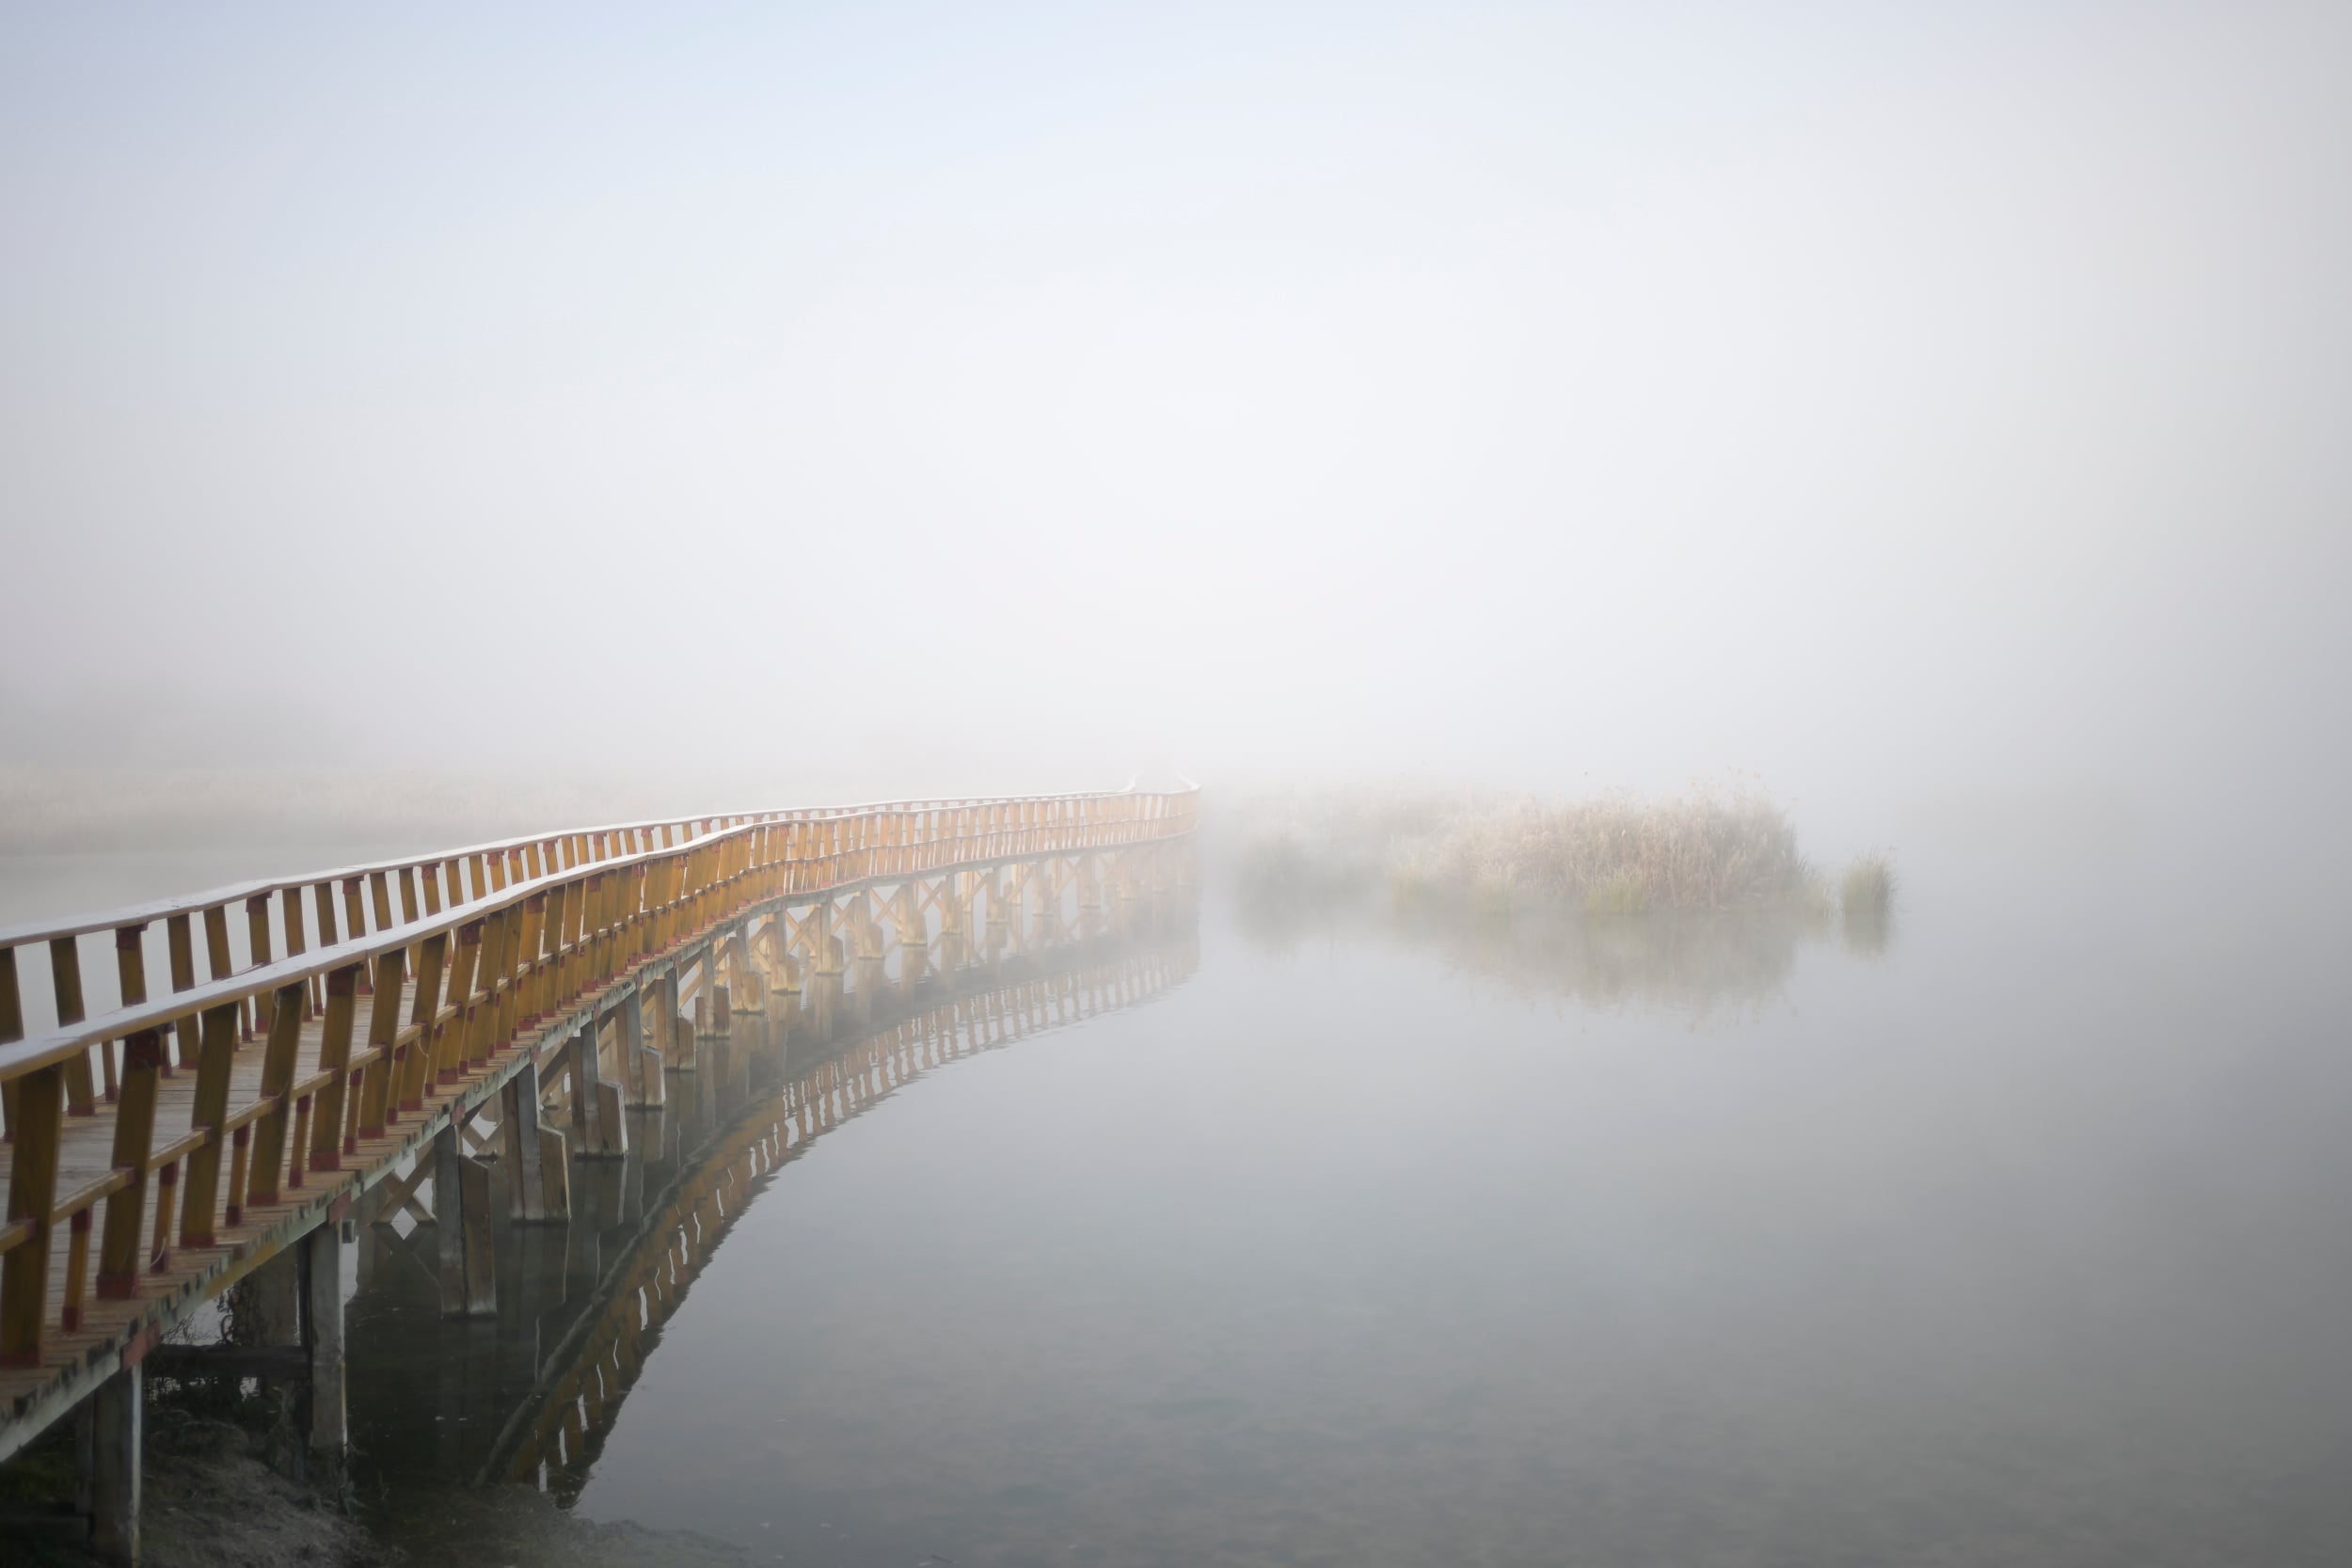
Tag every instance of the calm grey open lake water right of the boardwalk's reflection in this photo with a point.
(2022, 1242)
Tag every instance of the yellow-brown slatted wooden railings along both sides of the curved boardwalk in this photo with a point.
(403, 1000)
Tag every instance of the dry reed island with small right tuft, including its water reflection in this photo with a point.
(1690, 899)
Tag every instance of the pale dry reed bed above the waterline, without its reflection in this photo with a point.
(1709, 850)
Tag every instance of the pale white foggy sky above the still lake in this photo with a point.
(1873, 398)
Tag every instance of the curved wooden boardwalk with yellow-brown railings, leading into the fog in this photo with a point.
(163, 1148)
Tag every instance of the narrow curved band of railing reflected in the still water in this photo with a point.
(561, 1426)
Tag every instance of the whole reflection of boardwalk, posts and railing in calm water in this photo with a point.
(533, 1395)
